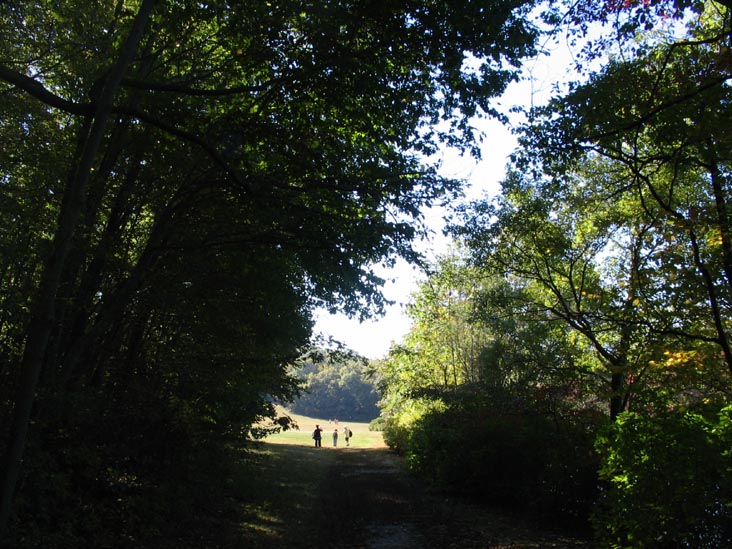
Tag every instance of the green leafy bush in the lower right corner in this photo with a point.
(668, 481)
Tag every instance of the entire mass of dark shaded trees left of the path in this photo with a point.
(181, 183)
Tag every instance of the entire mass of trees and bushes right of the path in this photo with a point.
(597, 285)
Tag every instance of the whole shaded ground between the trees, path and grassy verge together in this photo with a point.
(363, 496)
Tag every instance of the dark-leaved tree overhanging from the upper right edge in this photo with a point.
(659, 122)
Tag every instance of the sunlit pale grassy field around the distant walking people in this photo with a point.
(362, 437)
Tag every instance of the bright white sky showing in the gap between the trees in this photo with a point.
(374, 338)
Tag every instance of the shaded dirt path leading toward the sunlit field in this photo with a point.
(371, 501)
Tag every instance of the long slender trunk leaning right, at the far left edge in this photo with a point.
(43, 307)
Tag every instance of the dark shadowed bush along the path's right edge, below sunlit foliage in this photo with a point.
(520, 461)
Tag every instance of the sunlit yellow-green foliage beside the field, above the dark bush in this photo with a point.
(473, 331)
